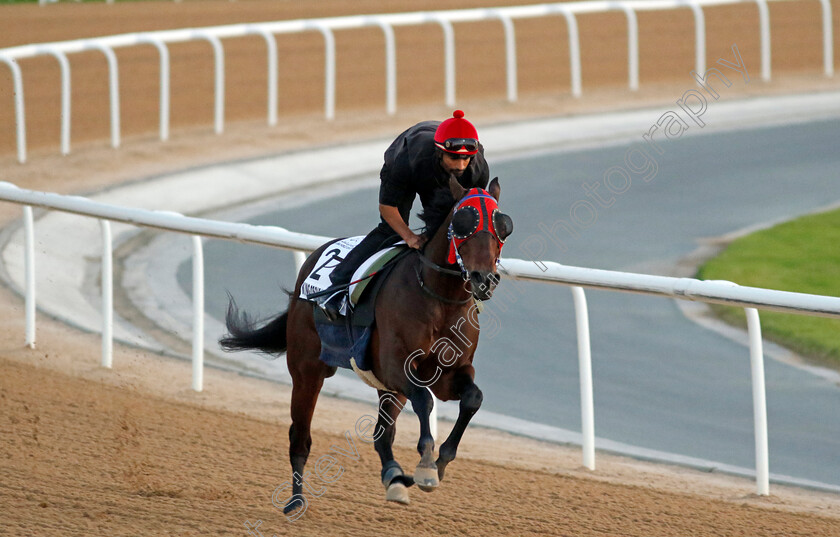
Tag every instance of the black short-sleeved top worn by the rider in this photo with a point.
(411, 168)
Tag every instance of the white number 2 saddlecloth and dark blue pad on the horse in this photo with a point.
(344, 342)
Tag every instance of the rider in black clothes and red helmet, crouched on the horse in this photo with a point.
(418, 162)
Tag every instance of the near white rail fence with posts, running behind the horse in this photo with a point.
(717, 292)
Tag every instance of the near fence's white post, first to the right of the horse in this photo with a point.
(587, 404)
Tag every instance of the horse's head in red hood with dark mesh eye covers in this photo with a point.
(477, 232)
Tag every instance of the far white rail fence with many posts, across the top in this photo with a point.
(386, 22)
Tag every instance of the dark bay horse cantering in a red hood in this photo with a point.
(423, 341)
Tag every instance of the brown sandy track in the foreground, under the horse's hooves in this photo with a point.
(82, 456)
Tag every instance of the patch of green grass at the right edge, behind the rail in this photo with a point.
(802, 255)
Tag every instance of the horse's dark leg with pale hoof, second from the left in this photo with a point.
(393, 477)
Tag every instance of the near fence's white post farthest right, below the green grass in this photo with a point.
(762, 464)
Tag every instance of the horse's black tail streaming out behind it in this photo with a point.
(243, 333)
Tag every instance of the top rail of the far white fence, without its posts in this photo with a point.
(362, 21)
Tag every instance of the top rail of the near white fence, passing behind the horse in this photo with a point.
(545, 271)
